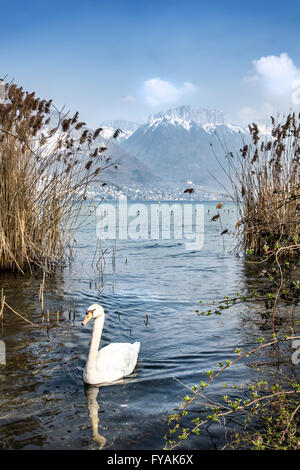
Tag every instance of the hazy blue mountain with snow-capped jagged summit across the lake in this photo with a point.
(181, 144)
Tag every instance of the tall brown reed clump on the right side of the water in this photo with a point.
(265, 177)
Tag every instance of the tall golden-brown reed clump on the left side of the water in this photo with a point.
(47, 161)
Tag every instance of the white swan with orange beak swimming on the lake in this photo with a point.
(112, 362)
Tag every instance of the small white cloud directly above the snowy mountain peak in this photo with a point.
(158, 91)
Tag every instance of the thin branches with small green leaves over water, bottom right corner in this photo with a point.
(267, 416)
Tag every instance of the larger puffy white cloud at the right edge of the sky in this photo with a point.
(278, 74)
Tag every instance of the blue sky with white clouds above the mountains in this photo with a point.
(128, 59)
